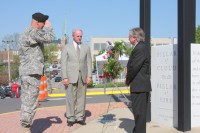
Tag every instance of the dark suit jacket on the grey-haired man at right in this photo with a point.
(138, 69)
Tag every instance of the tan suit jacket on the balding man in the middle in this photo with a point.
(70, 65)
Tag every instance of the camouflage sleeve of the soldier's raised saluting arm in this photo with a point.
(41, 36)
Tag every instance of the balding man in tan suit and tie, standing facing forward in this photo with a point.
(76, 68)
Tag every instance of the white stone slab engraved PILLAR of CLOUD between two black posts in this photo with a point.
(164, 81)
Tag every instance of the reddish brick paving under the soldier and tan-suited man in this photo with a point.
(52, 120)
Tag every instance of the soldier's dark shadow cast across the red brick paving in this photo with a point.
(41, 124)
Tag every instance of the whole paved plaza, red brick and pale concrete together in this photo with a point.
(100, 118)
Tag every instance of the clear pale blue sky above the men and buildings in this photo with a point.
(97, 18)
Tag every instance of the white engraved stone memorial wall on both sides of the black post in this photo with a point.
(164, 81)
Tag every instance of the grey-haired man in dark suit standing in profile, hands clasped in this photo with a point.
(138, 77)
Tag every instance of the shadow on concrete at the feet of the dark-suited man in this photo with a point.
(127, 124)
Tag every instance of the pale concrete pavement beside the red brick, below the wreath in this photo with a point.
(121, 120)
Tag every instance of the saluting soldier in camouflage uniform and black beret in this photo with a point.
(31, 65)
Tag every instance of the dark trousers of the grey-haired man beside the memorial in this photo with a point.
(139, 108)
